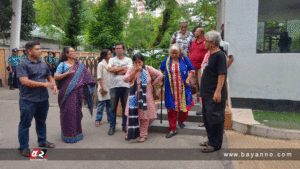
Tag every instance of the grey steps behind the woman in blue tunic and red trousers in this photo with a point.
(191, 124)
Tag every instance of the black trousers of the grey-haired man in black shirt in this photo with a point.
(213, 117)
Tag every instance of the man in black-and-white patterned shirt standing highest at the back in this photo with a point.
(183, 37)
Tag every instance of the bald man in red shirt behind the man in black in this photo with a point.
(197, 53)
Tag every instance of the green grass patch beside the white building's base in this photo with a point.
(278, 120)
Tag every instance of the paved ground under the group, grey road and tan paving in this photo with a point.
(98, 138)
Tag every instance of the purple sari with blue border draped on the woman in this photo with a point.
(75, 88)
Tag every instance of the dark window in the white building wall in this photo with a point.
(278, 29)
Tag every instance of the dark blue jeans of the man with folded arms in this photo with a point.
(115, 95)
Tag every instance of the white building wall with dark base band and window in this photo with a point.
(264, 36)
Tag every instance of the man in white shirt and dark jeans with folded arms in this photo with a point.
(118, 66)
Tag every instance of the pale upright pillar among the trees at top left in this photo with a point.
(15, 24)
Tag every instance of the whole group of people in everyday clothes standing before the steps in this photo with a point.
(191, 62)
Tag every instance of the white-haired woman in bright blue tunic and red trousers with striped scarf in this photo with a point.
(178, 96)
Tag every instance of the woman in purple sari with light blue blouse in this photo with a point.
(75, 83)
